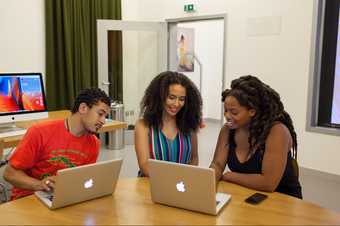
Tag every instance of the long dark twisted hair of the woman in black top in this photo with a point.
(254, 94)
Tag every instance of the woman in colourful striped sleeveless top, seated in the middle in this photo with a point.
(171, 115)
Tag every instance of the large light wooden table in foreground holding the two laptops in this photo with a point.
(131, 204)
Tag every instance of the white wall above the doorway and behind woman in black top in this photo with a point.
(280, 59)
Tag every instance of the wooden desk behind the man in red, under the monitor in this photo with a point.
(8, 142)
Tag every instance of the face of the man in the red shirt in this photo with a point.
(94, 118)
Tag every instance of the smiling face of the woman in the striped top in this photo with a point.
(175, 99)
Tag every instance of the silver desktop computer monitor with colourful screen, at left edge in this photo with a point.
(22, 98)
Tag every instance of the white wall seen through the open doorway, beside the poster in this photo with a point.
(209, 51)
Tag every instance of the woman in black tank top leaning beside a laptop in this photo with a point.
(258, 141)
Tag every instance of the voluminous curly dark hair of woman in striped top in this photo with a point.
(188, 118)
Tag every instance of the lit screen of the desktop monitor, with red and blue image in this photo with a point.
(21, 93)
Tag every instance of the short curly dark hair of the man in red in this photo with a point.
(90, 97)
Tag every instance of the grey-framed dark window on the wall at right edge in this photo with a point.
(324, 89)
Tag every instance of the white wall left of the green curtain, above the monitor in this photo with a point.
(22, 36)
